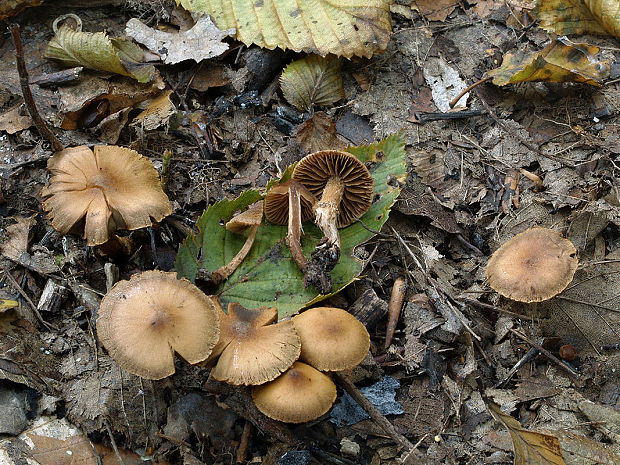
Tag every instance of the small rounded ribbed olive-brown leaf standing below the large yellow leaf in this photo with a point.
(313, 80)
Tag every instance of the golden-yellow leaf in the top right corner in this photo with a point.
(600, 17)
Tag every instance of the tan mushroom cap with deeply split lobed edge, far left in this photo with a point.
(111, 187)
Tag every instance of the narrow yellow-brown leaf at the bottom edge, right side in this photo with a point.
(531, 447)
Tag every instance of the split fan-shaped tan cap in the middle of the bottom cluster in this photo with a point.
(254, 351)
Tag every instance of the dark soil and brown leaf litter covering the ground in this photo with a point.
(518, 156)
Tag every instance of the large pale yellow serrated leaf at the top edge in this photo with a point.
(341, 27)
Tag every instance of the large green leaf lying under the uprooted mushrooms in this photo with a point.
(269, 276)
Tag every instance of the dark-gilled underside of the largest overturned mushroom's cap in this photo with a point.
(314, 170)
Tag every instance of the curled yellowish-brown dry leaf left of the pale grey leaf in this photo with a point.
(97, 51)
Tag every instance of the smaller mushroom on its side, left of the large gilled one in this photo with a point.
(290, 202)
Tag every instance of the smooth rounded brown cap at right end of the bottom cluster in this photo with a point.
(331, 338)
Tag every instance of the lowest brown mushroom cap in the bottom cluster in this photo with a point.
(300, 394)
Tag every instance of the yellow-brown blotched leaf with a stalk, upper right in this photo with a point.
(558, 62)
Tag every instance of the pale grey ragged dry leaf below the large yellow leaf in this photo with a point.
(201, 42)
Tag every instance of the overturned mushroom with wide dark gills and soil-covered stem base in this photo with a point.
(345, 189)
